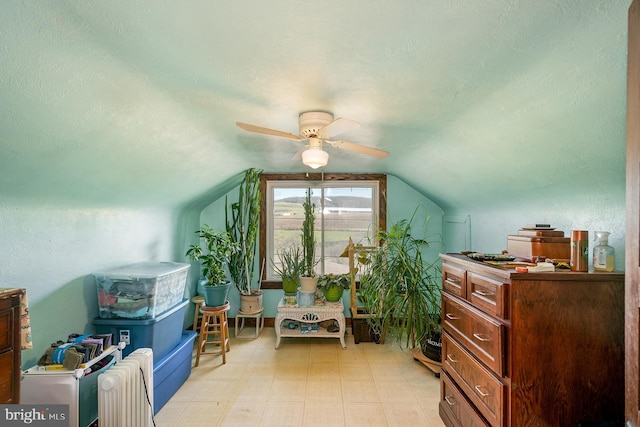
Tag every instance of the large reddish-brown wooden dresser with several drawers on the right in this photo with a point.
(530, 349)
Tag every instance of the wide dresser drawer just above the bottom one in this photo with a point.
(479, 384)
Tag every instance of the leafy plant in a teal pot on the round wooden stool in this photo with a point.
(213, 252)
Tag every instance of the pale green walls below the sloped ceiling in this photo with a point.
(52, 250)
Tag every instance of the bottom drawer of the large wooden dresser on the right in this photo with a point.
(455, 408)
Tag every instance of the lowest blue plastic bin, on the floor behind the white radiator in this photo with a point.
(172, 371)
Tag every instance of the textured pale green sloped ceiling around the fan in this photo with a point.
(134, 103)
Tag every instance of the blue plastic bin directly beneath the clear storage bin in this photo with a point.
(160, 334)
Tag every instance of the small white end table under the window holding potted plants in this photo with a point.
(309, 315)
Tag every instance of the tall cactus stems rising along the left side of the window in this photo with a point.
(243, 227)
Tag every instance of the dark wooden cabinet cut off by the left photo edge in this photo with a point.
(10, 353)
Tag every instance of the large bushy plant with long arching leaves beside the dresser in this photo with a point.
(403, 288)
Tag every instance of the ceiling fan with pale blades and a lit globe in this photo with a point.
(318, 127)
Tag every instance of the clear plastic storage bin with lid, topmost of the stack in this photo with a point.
(141, 291)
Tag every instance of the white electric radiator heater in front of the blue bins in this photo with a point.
(125, 392)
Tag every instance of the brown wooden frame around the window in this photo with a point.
(311, 179)
